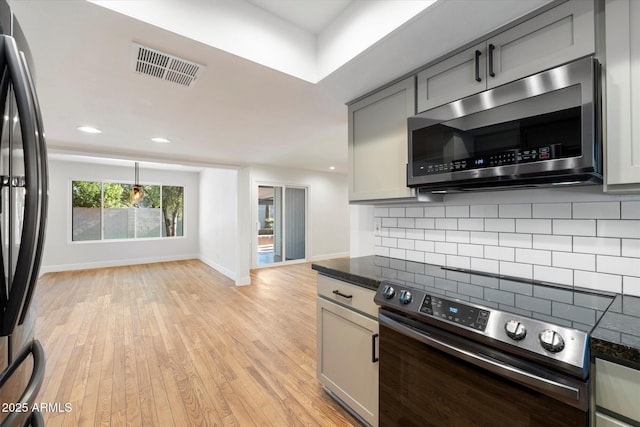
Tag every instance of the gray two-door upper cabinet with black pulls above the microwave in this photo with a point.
(559, 35)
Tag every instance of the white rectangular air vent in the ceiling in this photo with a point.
(161, 65)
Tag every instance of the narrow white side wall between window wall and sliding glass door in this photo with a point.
(219, 220)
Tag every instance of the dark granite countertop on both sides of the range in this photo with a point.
(616, 337)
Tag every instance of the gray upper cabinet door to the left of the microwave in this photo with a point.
(378, 145)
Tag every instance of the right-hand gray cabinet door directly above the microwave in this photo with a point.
(561, 34)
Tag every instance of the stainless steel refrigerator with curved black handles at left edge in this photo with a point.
(23, 212)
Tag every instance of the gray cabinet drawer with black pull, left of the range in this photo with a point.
(344, 293)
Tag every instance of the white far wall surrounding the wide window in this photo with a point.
(61, 254)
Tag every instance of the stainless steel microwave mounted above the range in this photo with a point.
(541, 130)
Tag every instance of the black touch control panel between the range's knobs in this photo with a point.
(454, 311)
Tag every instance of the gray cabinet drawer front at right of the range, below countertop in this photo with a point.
(618, 388)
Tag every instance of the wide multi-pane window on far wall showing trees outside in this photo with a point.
(104, 211)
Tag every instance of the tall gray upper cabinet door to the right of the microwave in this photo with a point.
(622, 105)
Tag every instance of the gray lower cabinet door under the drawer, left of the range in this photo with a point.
(347, 365)
